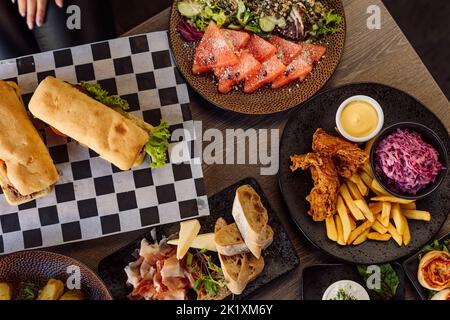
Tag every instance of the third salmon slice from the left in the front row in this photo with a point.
(269, 71)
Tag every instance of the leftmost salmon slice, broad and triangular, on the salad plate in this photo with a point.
(213, 51)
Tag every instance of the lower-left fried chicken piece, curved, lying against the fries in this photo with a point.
(323, 196)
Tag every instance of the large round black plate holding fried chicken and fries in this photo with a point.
(319, 112)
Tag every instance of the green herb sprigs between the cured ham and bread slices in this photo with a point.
(208, 276)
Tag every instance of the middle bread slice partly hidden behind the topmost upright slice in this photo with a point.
(229, 240)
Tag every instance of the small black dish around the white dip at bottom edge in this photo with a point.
(316, 279)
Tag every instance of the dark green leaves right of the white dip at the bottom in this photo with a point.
(389, 280)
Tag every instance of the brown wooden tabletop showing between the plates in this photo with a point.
(383, 56)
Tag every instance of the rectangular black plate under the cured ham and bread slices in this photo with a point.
(279, 258)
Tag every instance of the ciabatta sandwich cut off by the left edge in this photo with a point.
(27, 171)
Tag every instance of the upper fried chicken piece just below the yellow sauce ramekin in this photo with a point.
(347, 156)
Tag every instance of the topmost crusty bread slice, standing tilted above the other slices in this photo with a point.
(251, 218)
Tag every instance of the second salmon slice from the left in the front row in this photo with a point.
(230, 76)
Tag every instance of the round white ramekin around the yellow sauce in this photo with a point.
(373, 103)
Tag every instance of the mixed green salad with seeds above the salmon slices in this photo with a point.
(306, 20)
